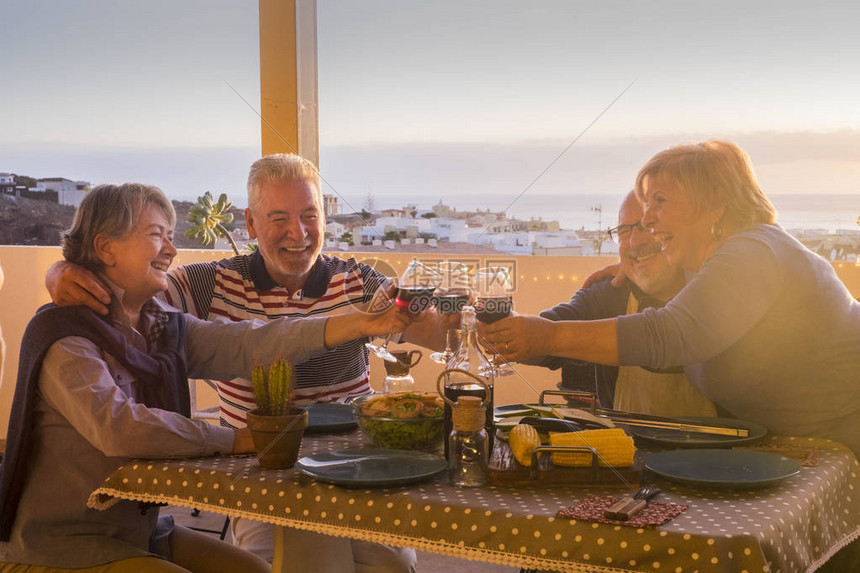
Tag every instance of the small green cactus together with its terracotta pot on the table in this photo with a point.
(276, 426)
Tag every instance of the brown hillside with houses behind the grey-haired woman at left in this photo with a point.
(32, 222)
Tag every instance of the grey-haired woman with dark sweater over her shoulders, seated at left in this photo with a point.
(94, 391)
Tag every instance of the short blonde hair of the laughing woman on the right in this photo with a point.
(715, 174)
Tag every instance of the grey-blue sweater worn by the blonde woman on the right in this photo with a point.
(766, 330)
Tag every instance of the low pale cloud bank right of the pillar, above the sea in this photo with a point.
(504, 170)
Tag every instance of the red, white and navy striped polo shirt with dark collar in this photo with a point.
(240, 288)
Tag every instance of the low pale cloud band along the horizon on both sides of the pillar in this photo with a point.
(492, 174)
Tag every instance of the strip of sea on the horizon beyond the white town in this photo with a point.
(590, 212)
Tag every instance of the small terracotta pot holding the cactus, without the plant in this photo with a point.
(278, 438)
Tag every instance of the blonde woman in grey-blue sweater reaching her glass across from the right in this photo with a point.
(764, 327)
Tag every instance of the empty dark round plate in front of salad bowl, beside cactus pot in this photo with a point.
(371, 467)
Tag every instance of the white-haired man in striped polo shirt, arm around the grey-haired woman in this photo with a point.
(286, 276)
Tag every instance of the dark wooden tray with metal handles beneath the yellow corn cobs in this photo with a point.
(506, 470)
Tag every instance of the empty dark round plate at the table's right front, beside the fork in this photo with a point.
(722, 468)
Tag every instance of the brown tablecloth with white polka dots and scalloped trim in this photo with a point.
(792, 526)
